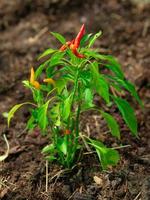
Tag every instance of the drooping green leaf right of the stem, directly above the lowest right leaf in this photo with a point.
(112, 124)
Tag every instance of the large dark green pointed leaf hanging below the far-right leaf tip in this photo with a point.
(127, 113)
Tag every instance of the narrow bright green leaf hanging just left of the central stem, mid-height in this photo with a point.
(66, 107)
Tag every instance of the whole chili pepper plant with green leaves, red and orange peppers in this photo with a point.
(64, 86)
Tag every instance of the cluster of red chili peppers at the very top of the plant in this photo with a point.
(74, 44)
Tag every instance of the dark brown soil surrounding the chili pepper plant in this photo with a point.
(24, 33)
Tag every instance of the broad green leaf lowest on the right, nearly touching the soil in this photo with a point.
(107, 156)
